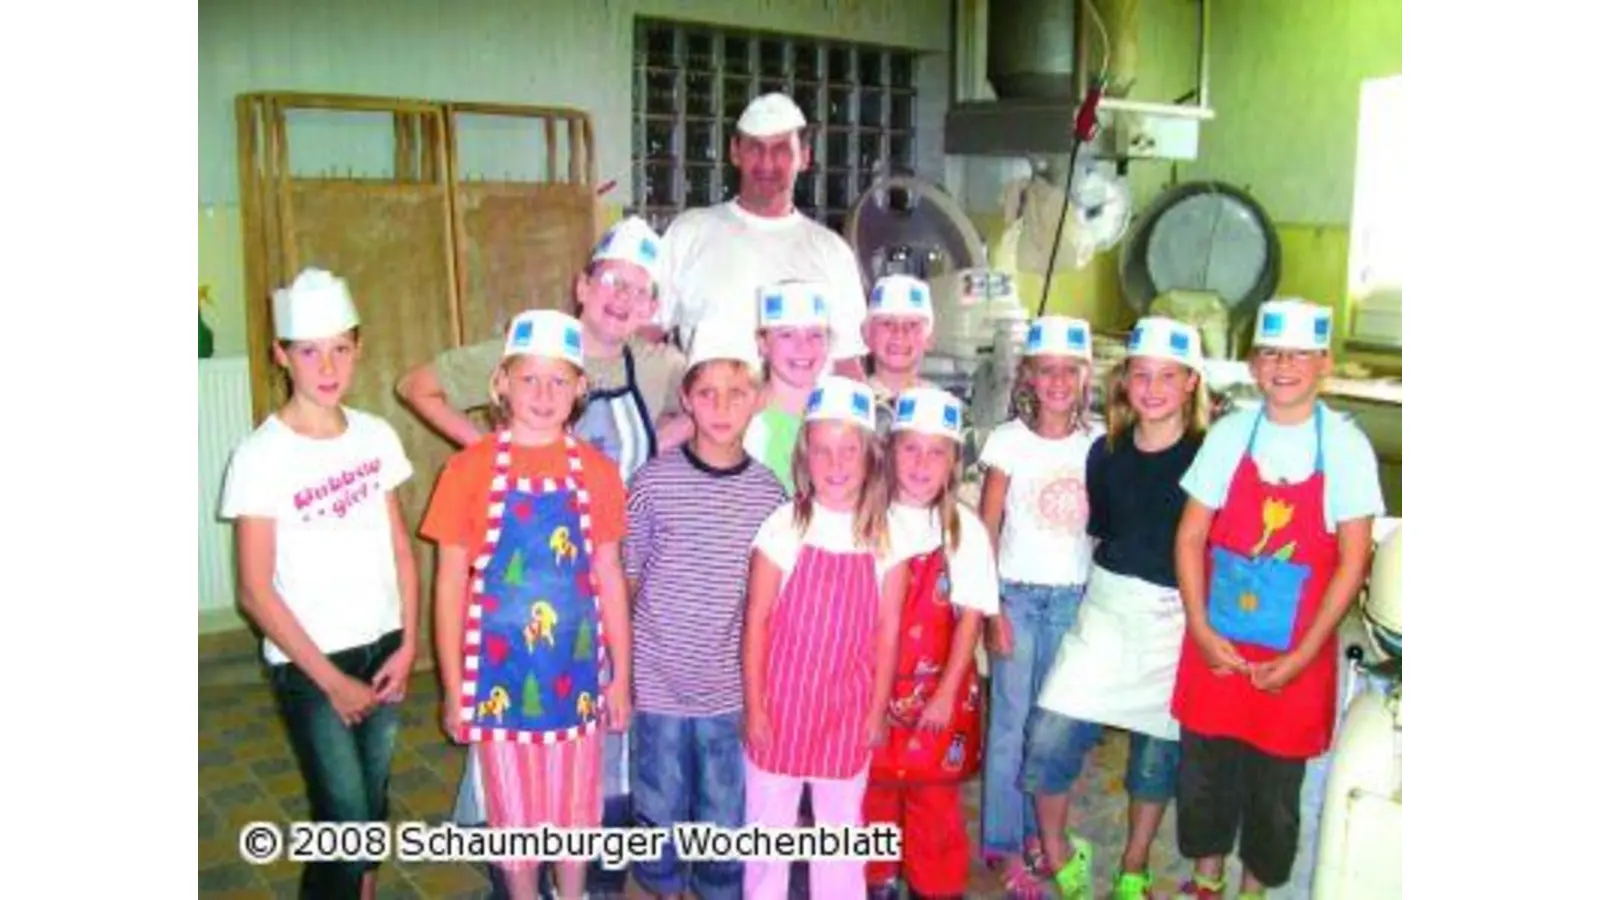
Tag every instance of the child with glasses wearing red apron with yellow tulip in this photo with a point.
(1265, 582)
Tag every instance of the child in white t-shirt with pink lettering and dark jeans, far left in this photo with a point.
(326, 569)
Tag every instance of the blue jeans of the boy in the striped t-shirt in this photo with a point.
(689, 769)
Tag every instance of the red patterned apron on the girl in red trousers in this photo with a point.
(927, 632)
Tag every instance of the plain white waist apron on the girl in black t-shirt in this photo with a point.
(1119, 662)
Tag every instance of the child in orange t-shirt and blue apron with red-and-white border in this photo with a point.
(530, 603)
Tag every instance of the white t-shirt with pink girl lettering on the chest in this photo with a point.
(335, 565)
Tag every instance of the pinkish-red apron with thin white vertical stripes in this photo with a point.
(820, 667)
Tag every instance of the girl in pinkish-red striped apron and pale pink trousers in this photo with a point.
(820, 638)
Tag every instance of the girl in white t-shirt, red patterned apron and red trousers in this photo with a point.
(934, 734)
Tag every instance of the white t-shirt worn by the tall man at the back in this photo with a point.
(716, 259)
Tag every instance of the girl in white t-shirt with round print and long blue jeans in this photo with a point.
(1036, 508)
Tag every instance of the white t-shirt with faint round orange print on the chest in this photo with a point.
(1044, 539)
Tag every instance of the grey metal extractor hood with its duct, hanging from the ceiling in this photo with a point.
(1034, 55)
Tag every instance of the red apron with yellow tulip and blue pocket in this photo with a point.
(1270, 563)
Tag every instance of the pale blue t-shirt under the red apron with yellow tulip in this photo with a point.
(1289, 454)
